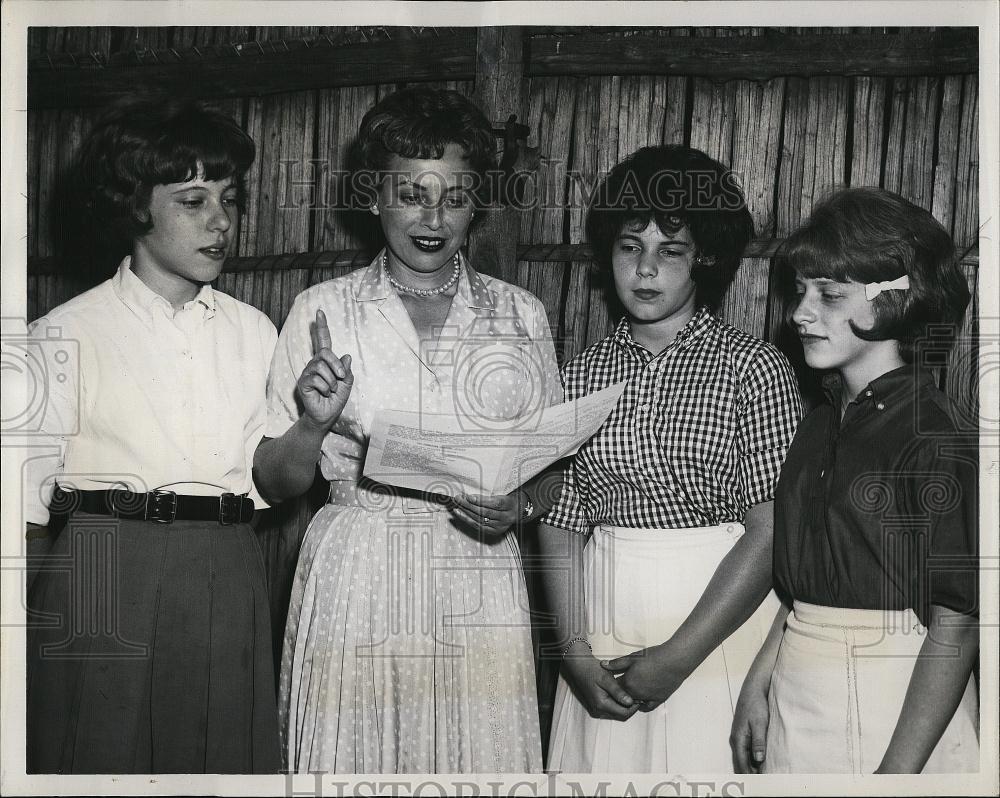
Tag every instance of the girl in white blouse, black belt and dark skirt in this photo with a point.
(155, 656)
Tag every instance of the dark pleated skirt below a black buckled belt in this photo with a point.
(149, 651)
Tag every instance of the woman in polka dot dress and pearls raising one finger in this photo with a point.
(408, 643)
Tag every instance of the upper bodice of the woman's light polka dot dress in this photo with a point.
(493, 360)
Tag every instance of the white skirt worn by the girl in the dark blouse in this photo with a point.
(838, 688)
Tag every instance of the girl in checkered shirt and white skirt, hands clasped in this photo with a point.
(660, 544)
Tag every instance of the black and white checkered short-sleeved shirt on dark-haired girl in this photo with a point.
(697, 438)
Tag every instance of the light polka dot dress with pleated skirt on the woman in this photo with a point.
(408, 643)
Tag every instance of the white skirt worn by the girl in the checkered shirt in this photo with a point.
(640, 585)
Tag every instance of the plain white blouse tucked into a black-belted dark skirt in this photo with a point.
(144, 397)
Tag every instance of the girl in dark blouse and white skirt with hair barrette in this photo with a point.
(875, 513)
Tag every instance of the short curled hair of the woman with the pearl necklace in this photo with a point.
(420, 122)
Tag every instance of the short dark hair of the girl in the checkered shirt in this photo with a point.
(676, 187)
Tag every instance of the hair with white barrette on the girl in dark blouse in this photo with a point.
(871, 235)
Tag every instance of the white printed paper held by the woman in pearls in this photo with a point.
(444, 454)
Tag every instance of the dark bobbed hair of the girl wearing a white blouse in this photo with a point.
(147, 141)
